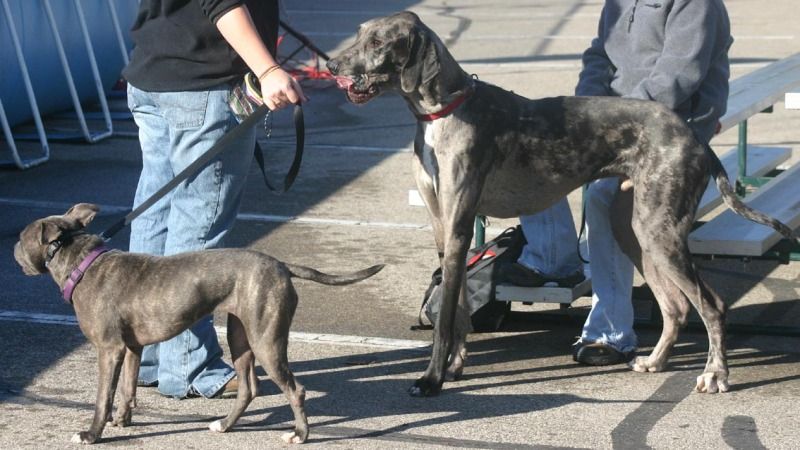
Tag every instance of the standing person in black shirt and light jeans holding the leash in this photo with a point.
(187, 56)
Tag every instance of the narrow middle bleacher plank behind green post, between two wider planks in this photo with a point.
(760, 161)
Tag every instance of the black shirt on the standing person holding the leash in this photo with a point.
(177, 46)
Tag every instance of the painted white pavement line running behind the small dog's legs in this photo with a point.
(299, 336)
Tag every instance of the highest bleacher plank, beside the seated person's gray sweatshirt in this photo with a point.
(760, 89)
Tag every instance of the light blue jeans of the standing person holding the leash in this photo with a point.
(175, 128)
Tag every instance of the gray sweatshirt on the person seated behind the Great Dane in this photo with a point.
(672, 51)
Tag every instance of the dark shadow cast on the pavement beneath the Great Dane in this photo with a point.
(374, 386)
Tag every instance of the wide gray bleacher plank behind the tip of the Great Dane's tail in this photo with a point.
(730, 234)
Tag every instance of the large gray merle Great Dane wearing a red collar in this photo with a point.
(484, 150)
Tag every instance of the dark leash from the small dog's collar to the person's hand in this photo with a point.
(216, 149)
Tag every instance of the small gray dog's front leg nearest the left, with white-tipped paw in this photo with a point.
(109, 361)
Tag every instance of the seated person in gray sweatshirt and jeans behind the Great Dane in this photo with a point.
(671, 51)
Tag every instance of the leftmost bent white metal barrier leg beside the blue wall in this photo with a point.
(17, 159)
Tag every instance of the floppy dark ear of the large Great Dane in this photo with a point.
(423, 61)
